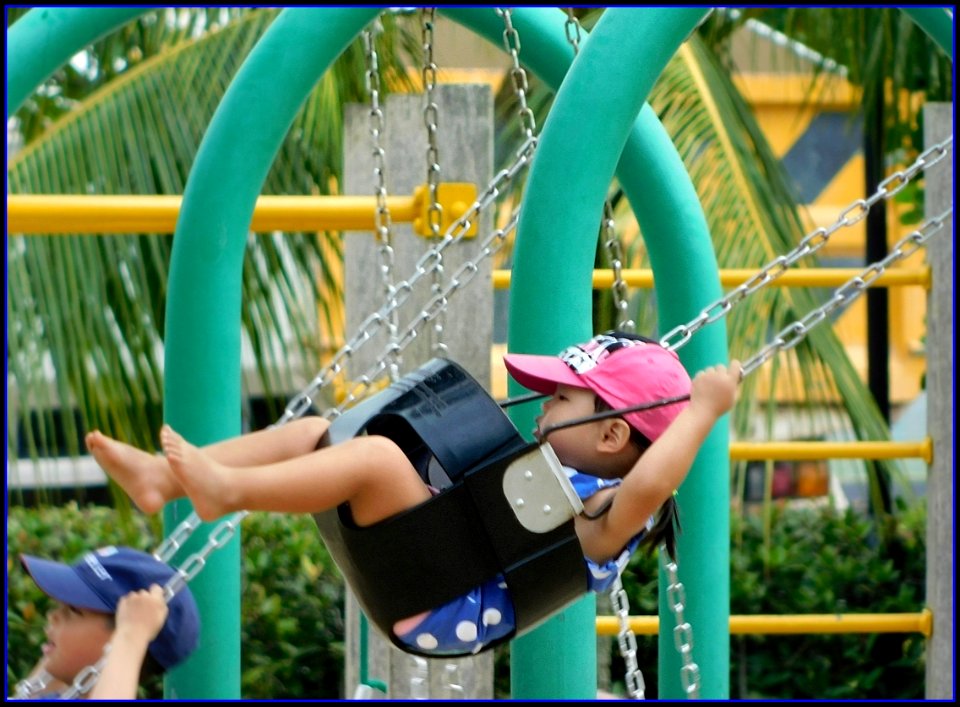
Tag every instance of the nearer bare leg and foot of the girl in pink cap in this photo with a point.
(370, 473)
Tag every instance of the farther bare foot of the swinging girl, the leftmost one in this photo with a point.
(145, 477)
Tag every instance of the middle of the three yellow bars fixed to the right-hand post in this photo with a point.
(833, 450)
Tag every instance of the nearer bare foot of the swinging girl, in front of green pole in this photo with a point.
(203, 479)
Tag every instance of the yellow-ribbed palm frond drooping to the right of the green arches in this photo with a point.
(752, 216)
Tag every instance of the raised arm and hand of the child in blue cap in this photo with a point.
(140, 616)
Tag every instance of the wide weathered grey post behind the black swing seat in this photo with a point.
(465, 148)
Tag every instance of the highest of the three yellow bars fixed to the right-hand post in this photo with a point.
(808, 277)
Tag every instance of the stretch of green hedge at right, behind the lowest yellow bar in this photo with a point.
(814, 561)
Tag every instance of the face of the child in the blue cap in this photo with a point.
(75, 639)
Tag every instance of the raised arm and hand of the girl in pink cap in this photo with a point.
(663, 467)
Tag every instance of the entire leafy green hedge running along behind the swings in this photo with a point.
(815, 561)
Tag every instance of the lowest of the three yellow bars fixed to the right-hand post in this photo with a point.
(768, 624)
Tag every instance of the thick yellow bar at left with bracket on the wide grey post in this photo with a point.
(71, 214)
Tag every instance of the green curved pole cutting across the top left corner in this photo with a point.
(45, 38)
